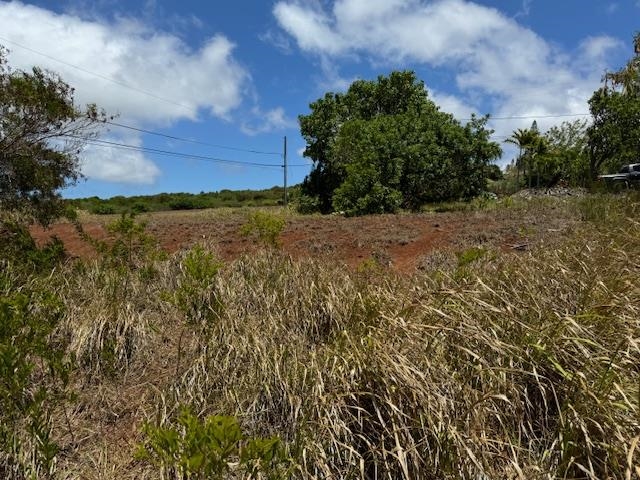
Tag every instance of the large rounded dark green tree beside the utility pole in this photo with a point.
(384, 144)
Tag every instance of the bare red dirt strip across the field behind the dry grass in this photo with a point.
(400, 241)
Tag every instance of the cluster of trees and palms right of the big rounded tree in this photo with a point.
(576, 152)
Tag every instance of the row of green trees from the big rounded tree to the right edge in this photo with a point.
(384, 145)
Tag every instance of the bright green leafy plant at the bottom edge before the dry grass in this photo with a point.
(211, 449)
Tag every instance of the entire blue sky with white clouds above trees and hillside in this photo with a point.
(237, 74)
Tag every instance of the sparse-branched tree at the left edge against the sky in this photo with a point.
(41, 134)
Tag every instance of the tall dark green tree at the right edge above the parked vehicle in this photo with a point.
(614, 134)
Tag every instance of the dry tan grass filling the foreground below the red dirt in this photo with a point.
(511, 366)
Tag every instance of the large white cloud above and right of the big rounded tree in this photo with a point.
(515, 71)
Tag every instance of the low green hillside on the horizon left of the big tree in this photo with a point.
(184, 201)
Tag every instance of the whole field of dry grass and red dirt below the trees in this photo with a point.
(501, 341)
